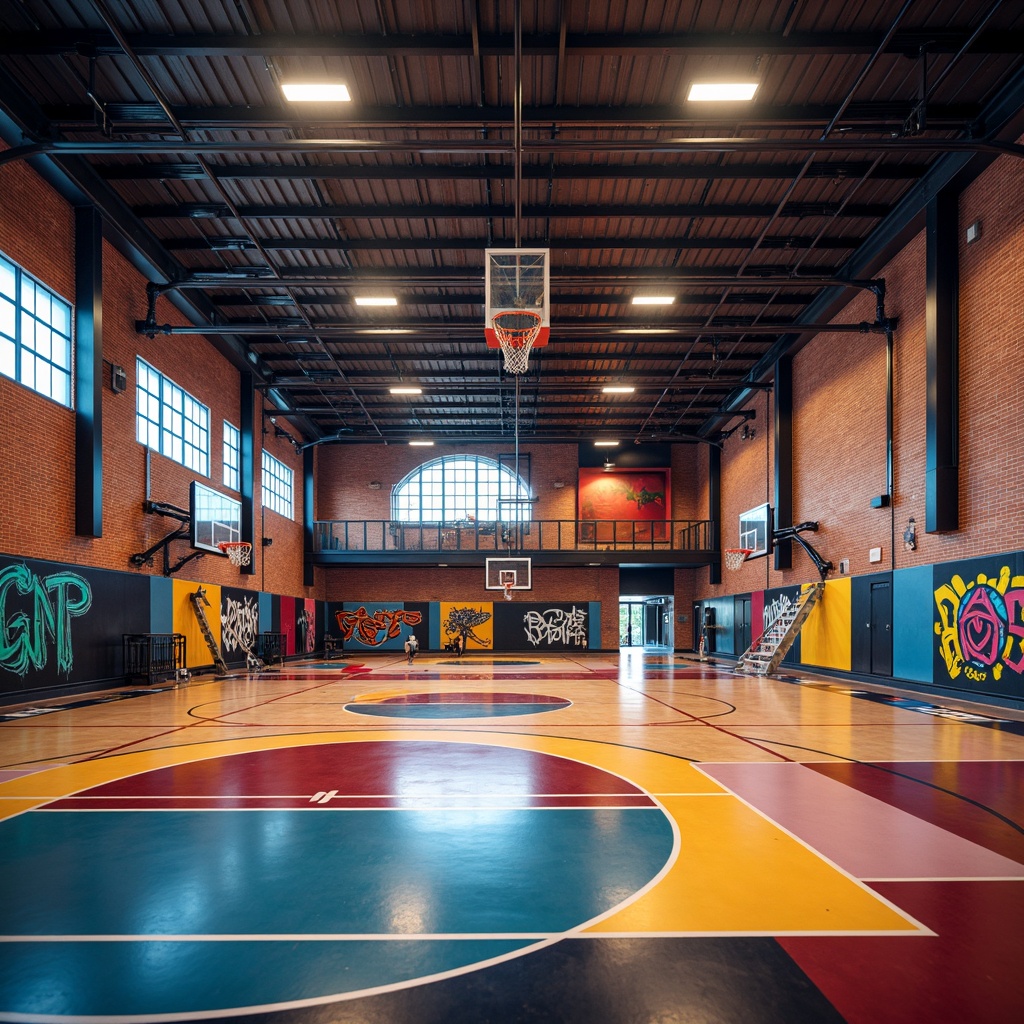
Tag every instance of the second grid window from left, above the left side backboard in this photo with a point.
(170, 421)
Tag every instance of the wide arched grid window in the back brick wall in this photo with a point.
(461, 487)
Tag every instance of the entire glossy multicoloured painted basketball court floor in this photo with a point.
(589, 839)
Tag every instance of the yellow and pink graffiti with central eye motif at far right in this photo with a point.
(982, 626)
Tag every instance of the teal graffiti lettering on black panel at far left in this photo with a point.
(55, 602)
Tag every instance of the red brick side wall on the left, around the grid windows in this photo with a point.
(37, 437)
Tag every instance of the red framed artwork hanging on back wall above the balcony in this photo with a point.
(624, 506)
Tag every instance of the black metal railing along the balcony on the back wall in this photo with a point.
(525, 536)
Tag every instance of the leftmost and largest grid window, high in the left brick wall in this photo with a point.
(35, 335)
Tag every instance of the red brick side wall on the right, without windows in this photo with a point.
(839, 415)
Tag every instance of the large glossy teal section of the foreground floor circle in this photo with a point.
(504, 879)
